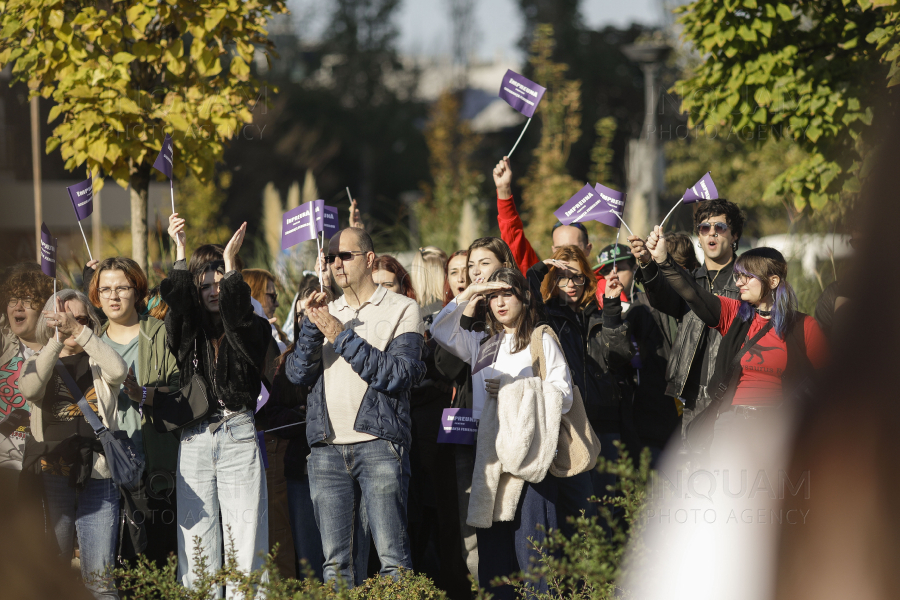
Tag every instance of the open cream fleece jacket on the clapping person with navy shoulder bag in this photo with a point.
(108, 370)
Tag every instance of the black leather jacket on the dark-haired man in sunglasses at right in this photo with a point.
(665, 299)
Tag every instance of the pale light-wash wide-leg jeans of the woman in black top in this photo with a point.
(221, 474)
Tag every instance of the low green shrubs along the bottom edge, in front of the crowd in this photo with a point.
(586, 566)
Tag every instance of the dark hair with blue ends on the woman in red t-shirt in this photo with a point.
(761, 264)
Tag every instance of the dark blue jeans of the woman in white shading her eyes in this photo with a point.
(504, 549)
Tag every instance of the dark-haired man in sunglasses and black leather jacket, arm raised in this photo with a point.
(719, 225)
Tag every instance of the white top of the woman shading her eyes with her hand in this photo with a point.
(465, 345)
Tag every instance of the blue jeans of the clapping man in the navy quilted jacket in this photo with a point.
(344, 478)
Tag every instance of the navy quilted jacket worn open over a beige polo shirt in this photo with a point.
(390, 374)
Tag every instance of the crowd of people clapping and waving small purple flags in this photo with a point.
(322, 435)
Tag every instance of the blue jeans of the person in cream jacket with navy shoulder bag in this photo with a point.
(93, 513)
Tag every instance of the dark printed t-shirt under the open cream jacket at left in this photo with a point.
(62, 418)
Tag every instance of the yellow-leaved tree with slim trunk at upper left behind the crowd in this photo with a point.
(123, 73)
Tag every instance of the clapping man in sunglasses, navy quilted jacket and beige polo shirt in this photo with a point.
(361, 355)
